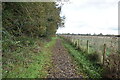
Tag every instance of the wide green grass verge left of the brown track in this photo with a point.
(29, 61)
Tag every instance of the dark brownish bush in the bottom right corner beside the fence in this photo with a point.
(112, 66)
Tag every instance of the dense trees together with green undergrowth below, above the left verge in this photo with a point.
(25, 21)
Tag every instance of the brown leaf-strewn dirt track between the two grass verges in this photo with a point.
(62, 63)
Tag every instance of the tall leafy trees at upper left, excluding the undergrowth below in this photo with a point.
(40, 19)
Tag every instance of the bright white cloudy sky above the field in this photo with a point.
(90, 16)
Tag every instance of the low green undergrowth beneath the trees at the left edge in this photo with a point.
(11, 43)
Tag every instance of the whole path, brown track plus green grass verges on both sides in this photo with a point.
(43, 59)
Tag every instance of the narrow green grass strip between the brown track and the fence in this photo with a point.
(83, 63)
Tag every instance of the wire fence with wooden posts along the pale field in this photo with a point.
(95, 44)
